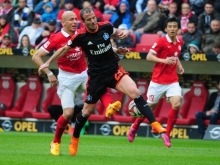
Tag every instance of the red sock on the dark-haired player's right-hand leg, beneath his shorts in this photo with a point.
(172, 117)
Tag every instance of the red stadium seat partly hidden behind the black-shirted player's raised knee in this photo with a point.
(142, 85)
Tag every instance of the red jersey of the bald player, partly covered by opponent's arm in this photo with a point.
(73, 60)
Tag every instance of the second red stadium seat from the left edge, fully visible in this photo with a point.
(28, 100)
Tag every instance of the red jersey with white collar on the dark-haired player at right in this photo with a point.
(163, 48)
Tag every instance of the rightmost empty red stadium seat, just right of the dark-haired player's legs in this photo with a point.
(194, 100)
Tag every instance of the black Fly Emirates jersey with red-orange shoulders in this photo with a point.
(98, 49)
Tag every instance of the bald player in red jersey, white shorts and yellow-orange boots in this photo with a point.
(72, 76)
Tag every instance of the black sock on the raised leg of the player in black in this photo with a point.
(144, 108)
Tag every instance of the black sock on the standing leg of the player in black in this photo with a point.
(80, 122)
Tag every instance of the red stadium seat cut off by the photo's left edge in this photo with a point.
(7, 92)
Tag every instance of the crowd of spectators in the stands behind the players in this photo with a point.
(29, 23)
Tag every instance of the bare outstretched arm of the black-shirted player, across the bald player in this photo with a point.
(59, 53)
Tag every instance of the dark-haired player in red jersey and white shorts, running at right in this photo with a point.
(165, 53)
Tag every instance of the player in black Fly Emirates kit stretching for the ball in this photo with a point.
(103, 70)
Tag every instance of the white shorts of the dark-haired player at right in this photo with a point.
(157, 91)
